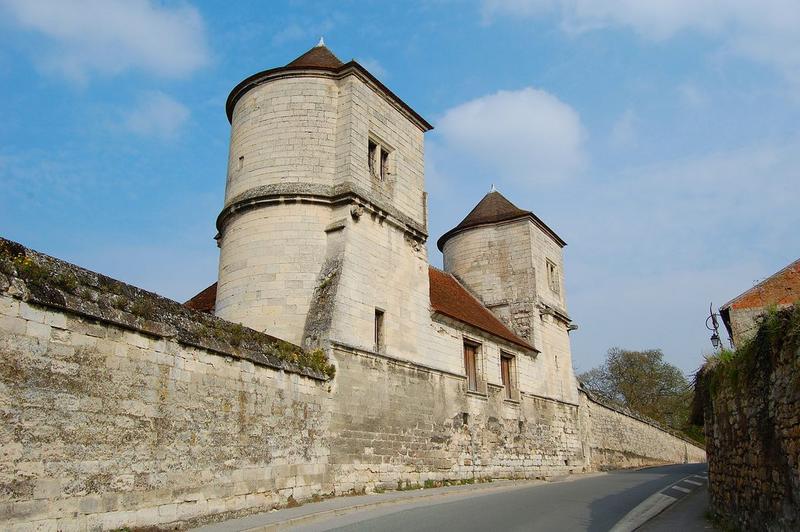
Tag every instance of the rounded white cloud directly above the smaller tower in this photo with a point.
(525, 136)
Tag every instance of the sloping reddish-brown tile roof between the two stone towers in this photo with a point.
(450, 298)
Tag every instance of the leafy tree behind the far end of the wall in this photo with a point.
(644, 382)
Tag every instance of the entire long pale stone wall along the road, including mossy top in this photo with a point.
(121, 408)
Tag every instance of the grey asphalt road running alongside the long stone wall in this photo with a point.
(594, 503)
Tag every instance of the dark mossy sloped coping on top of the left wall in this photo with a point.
(43, 280)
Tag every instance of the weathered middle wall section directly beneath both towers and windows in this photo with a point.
(395, 422)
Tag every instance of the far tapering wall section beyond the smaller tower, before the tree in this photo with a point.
(616, 439)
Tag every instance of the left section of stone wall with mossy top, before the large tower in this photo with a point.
(119, 408)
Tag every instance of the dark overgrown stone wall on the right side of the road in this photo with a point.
(752, 421)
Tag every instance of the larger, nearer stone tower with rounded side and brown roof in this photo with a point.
(322, 233)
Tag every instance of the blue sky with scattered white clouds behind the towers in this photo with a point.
(659, 139)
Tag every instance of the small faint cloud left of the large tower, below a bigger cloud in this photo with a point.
(157, 115)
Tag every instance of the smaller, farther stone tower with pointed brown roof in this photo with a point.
(513, 262)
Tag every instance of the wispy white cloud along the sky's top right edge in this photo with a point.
(765, 31)
